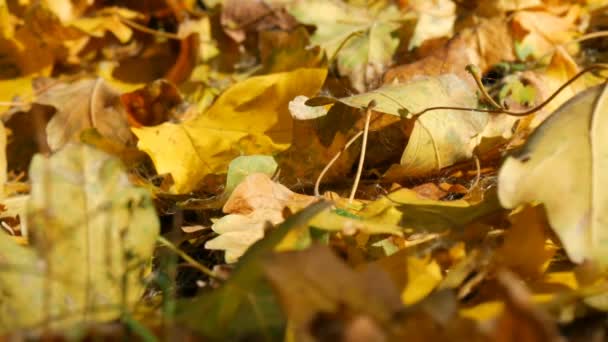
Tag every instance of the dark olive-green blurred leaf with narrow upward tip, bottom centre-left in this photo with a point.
(245, 304)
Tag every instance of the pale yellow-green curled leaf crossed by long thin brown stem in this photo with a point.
(433, 143)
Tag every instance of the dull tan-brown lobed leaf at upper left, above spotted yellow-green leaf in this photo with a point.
(81, 105)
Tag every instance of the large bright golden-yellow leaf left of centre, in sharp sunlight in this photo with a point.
(251, 117)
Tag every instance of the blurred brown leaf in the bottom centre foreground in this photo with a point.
(314, 282)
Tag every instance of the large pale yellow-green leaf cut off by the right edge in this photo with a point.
(563, 165)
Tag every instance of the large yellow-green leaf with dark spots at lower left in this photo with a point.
(92, 242)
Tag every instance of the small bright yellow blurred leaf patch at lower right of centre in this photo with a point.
(423, 276)
